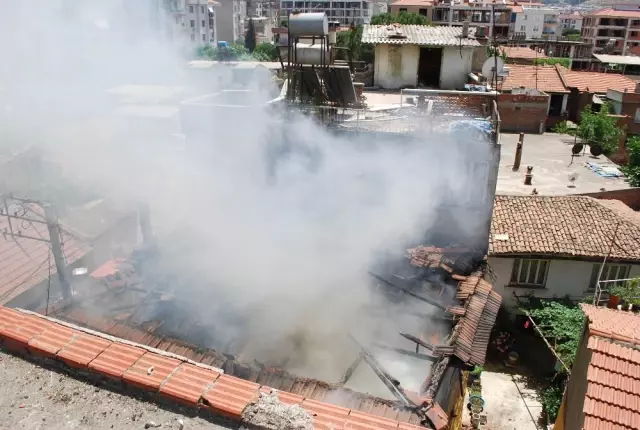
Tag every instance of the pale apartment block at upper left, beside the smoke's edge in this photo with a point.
(193, 20)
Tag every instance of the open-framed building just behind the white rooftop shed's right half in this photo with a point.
(479, 14)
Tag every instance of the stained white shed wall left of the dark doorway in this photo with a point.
(396, 66)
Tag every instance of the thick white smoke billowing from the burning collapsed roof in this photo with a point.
(284, 246)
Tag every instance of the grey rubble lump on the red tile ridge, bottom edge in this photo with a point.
(269, 413)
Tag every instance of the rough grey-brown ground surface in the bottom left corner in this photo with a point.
(32, 397)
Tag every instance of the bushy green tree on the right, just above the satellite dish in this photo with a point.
(598, 128)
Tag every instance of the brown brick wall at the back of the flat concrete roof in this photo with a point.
(522, 113)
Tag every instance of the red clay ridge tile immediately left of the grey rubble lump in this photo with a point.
(229, 396)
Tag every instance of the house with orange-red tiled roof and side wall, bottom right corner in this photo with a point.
(604, 388)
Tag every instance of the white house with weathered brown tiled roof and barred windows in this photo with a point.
(554, 246)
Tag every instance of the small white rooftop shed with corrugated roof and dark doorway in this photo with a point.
(421, 56)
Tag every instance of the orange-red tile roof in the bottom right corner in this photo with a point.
(612, 401)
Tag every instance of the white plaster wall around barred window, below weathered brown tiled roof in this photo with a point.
(564, 277)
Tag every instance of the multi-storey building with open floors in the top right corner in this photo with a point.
(614, 30)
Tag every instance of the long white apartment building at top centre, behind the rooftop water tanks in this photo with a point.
(345, 12)
